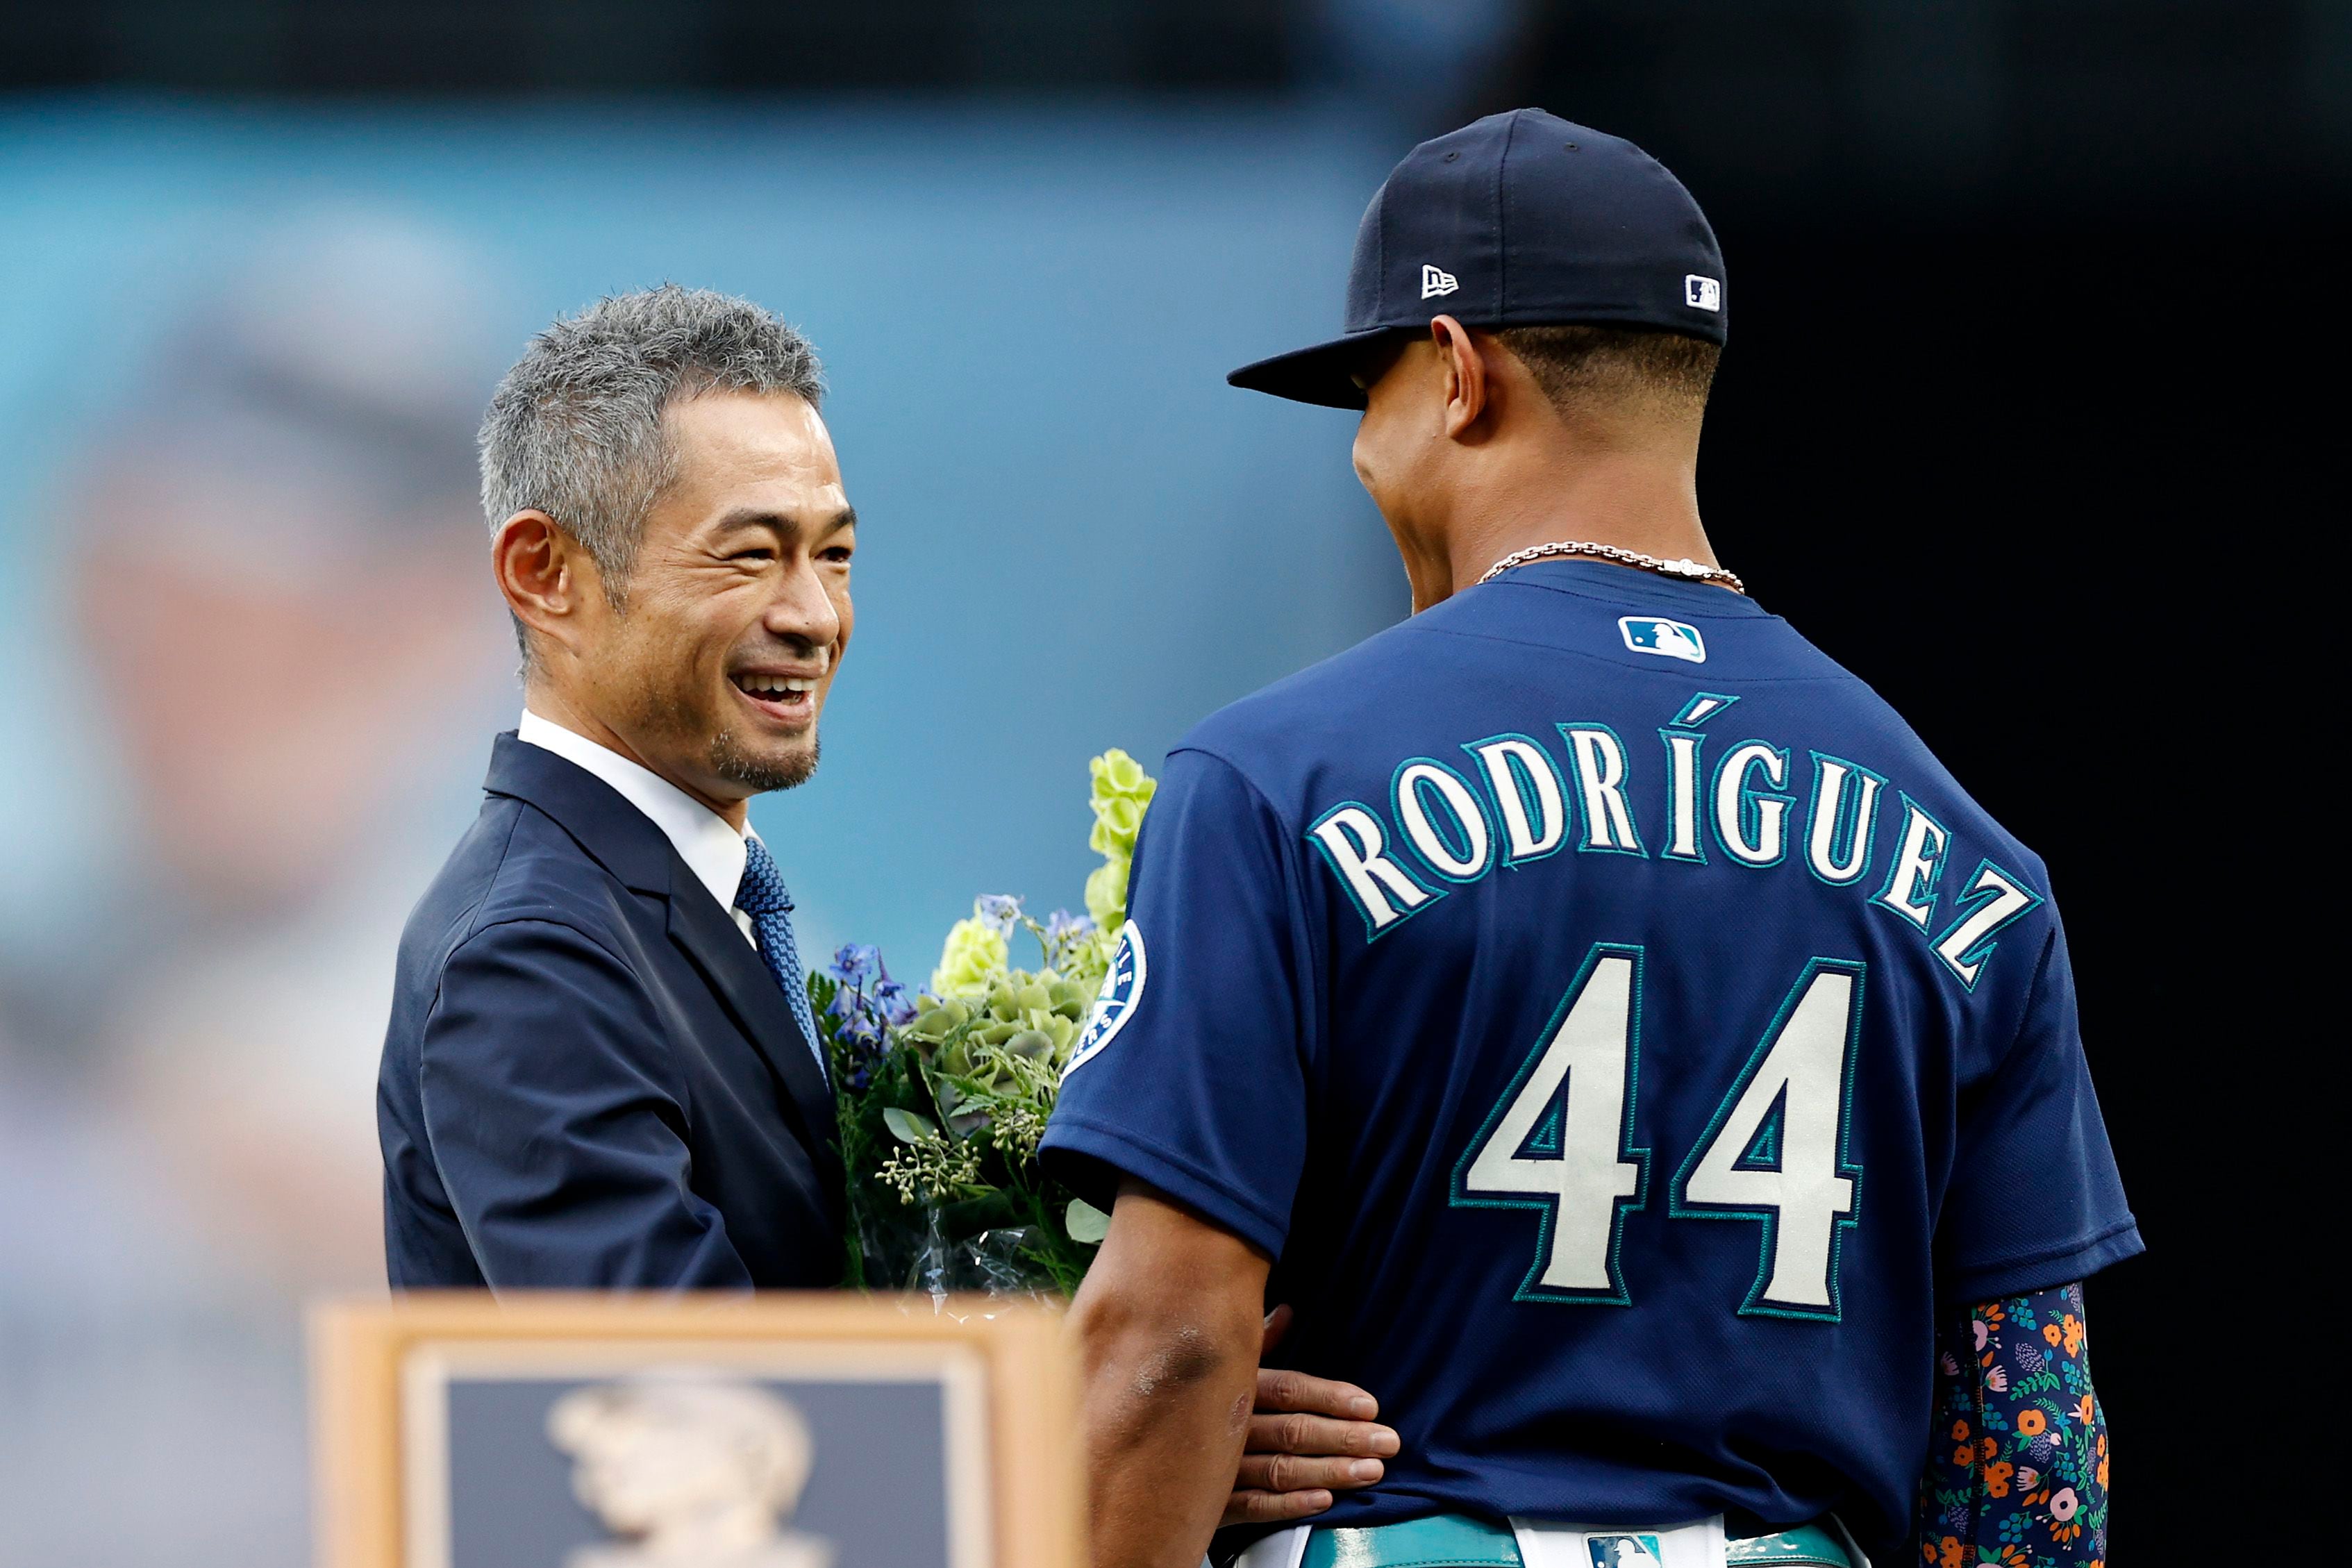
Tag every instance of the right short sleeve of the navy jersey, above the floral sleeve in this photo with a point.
(2036, 1198)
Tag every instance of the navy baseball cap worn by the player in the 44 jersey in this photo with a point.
(1516, 220)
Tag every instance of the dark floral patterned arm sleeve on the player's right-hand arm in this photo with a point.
(2019, 1466)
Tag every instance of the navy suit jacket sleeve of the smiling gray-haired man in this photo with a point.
(559, 1123)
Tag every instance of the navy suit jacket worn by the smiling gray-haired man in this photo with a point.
(592, 1080)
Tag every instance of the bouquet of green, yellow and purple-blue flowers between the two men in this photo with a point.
(944, 1094)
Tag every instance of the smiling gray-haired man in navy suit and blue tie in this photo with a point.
(601, 1068)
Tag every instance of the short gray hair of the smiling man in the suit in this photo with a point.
(575, 429)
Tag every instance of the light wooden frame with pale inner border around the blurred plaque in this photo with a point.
(385, 1379)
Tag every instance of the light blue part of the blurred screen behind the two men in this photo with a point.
(1027, 321)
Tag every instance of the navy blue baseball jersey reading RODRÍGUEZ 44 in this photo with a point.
(1622, 1033)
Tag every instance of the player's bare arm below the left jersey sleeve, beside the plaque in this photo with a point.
(1168, 1329)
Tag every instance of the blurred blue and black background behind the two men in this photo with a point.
(2022, 422)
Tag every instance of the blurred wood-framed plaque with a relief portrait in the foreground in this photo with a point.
(709, 1433)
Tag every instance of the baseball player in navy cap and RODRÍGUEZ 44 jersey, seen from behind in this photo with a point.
(1622, 1040)
